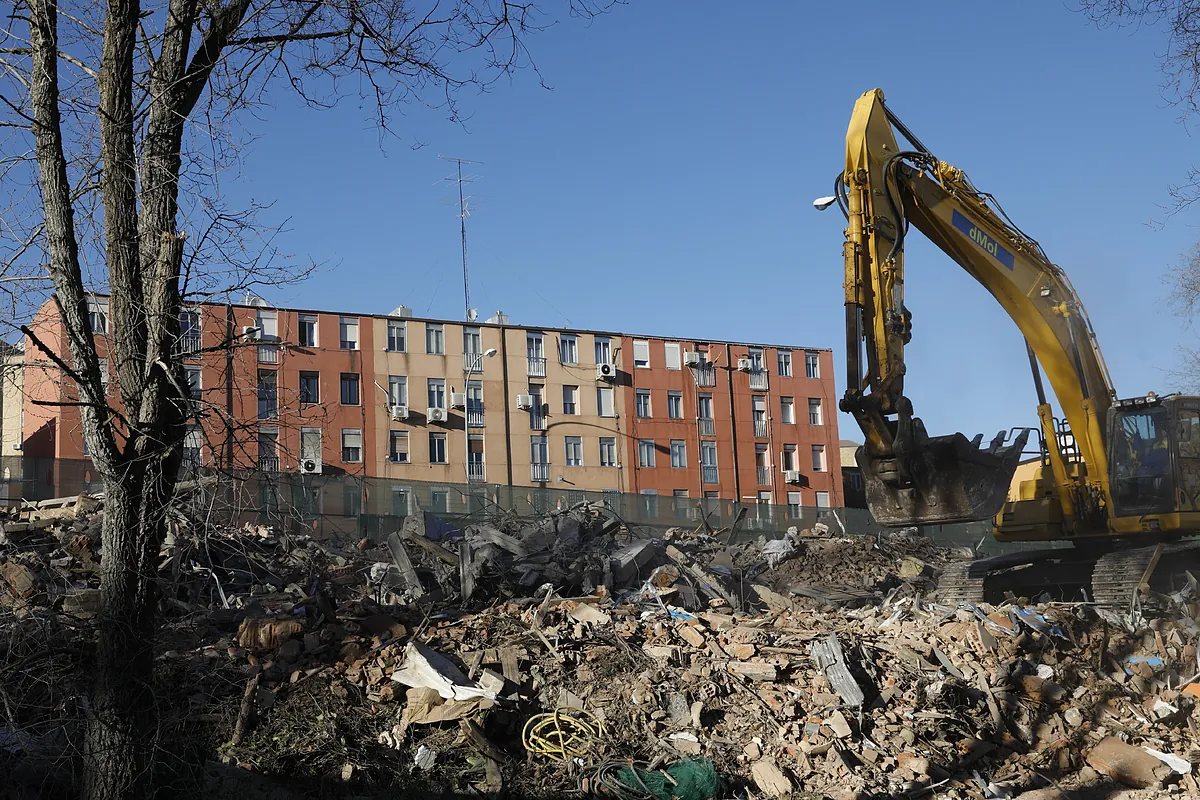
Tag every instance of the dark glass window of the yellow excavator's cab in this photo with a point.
(1141, 461)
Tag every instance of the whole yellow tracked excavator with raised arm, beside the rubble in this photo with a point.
(1119, 478)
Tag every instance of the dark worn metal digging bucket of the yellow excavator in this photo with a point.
(951, 480)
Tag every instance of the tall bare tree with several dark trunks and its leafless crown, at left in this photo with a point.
(118, 121)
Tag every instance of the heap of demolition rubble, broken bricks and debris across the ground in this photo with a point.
(566, 655)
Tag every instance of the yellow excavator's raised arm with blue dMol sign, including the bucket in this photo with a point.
(913, 478)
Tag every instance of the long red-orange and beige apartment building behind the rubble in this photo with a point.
(392, 396)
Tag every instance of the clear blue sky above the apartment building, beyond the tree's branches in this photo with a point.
(665, 184)
